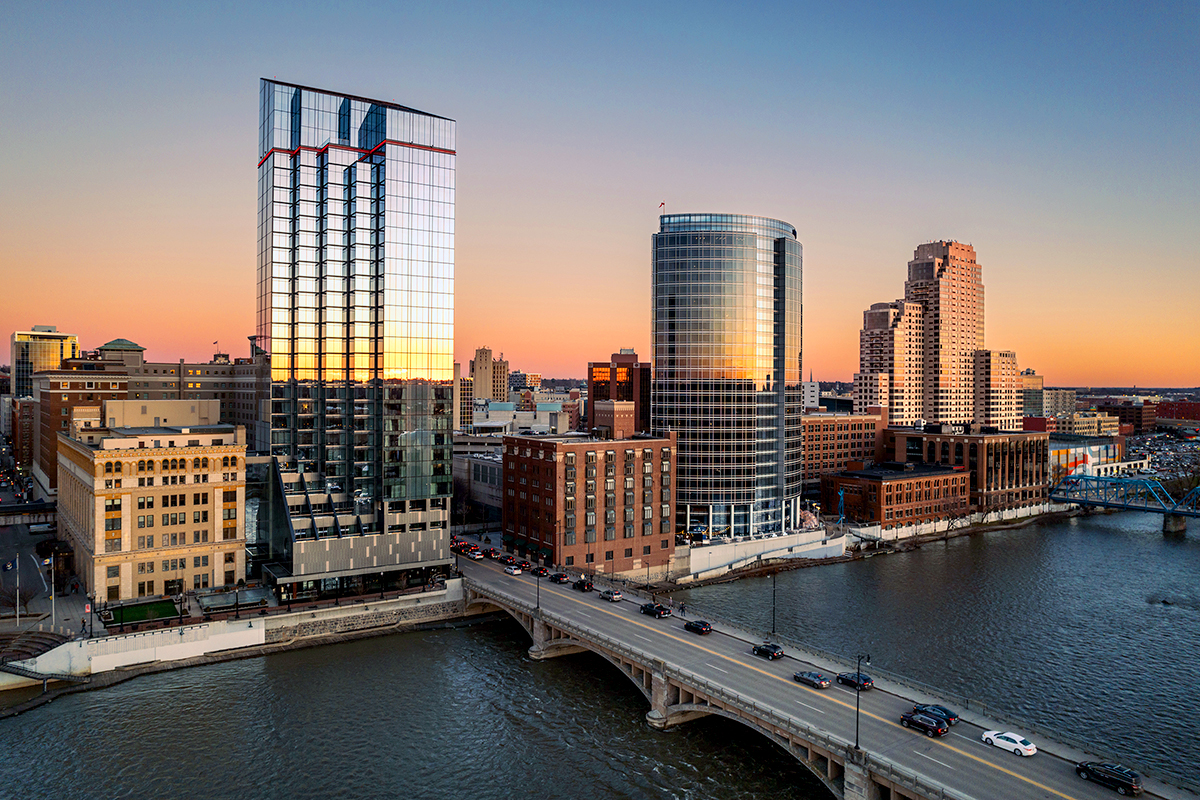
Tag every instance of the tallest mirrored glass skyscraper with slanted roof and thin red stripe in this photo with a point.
(356, 315)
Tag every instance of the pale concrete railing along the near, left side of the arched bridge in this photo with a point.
(728, 697)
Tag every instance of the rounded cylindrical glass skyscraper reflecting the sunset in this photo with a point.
(727, 324)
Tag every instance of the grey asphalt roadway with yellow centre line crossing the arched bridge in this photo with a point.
(961, 762)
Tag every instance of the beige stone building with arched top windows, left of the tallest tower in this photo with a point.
(152, 498)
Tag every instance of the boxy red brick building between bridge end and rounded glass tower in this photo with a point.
(595, 506)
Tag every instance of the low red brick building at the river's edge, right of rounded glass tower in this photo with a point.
(898, 495)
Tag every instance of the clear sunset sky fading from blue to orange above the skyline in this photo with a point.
(1061, 140)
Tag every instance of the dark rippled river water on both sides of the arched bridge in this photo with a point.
(1060, 623)
